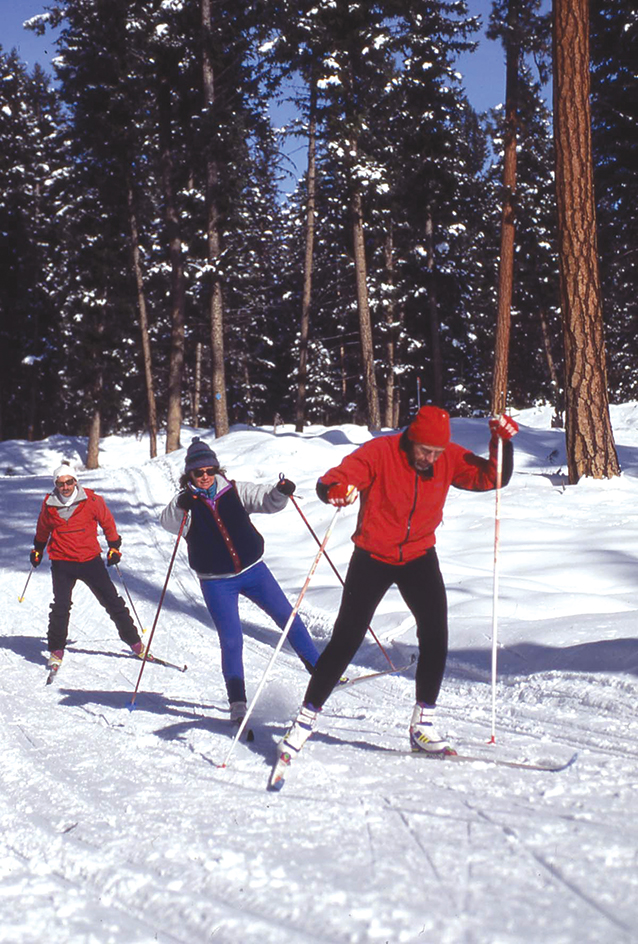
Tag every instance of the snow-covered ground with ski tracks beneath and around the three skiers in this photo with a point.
(117, 827)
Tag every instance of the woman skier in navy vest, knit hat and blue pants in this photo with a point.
(225, 550)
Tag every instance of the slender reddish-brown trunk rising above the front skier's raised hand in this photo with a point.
(508, 219)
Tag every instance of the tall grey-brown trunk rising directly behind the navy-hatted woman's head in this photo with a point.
(216, 303)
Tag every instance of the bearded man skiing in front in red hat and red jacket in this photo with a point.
(402, 481)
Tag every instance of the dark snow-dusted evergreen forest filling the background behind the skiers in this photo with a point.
(153, 270)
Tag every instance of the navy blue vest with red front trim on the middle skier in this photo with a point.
(222, 539)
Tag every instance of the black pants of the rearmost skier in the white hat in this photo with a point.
(93, 573)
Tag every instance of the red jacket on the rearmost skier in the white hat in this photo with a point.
(75, 539)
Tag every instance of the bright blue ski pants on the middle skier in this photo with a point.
(222, 599)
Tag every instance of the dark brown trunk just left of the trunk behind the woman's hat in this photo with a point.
(178, 292)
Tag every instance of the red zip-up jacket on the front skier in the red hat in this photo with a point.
(400, 507)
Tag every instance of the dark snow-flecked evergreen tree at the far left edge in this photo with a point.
(32, 163)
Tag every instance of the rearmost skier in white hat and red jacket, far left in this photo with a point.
(68, 523)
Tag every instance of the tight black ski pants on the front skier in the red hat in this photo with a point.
(421, 585)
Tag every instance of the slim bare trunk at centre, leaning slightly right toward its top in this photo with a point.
(300, 413)
